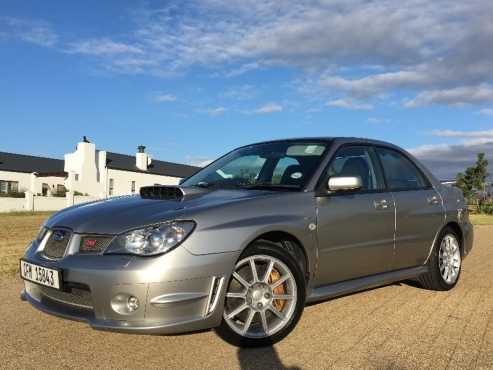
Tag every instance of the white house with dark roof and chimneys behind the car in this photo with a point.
(87, 171)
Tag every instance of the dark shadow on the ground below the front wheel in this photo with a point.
(261, 358)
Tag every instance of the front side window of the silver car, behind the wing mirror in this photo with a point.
(356, 161)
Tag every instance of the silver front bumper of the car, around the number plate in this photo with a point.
(178, 292)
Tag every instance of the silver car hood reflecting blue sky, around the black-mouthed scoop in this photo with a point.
(117, 215)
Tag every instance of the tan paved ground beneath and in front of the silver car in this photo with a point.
(395, 327)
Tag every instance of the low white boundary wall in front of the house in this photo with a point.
(32, 203)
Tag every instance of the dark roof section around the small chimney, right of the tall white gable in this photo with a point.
(127, 163)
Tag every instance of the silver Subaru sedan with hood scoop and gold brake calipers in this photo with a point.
(245, 243)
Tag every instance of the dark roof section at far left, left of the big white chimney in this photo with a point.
(28, 164)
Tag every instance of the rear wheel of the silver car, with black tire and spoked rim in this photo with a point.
(440, 258)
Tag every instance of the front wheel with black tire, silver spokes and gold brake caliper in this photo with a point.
(249, 304)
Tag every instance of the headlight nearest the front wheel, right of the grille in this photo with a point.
(152, 240)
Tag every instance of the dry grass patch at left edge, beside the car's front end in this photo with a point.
(16, 231)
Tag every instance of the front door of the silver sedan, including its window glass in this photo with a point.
(356, 229)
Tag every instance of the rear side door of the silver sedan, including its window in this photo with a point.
(419, 211)
